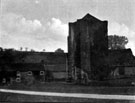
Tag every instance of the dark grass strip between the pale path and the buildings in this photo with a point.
(72, 88)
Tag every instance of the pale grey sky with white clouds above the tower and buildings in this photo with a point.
(43, 24)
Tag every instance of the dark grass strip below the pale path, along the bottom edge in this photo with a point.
(27, 98)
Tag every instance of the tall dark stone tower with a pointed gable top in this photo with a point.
(87, 47)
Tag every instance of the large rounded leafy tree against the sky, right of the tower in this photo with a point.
(117, 42)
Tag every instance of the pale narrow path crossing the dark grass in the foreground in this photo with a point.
(76, 95)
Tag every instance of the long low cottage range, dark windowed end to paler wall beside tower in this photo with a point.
(39, 72)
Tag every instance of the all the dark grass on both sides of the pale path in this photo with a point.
(63, 87)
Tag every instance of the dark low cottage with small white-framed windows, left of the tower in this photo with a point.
(19, 72)
